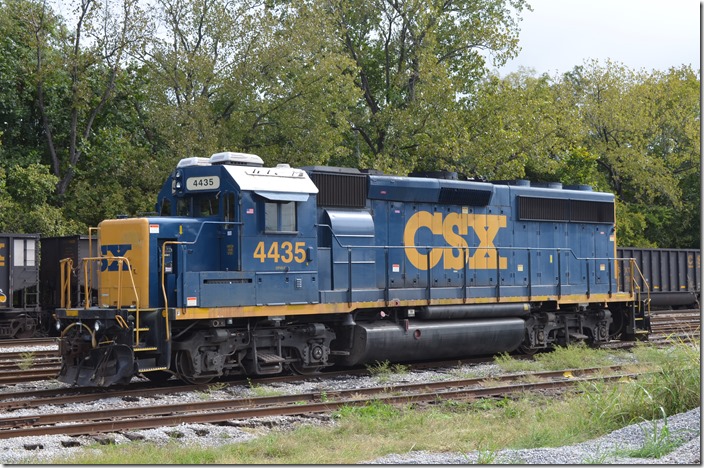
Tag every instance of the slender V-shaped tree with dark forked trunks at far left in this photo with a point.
(75, 73)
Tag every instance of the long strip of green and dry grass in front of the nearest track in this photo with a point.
(526, 421)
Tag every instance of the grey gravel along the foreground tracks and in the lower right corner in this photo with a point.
(606, 449)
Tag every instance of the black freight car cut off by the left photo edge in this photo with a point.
(20, 313)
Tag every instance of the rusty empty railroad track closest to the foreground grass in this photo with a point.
(148, 417)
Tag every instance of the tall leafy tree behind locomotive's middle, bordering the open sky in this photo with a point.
(415, 59)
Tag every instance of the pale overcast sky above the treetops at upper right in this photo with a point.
(642, 34)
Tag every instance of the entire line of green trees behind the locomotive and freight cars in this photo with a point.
(100, 99)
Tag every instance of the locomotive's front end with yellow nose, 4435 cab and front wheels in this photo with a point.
(231, 235)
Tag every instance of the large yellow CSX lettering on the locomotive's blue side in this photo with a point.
(454, 228)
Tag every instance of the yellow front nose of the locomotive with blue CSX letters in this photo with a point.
(132, 235)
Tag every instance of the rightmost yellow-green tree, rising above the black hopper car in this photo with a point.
(644, 128)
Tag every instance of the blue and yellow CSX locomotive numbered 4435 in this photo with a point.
(255, 270)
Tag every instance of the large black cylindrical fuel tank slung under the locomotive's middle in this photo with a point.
(424, 340)
